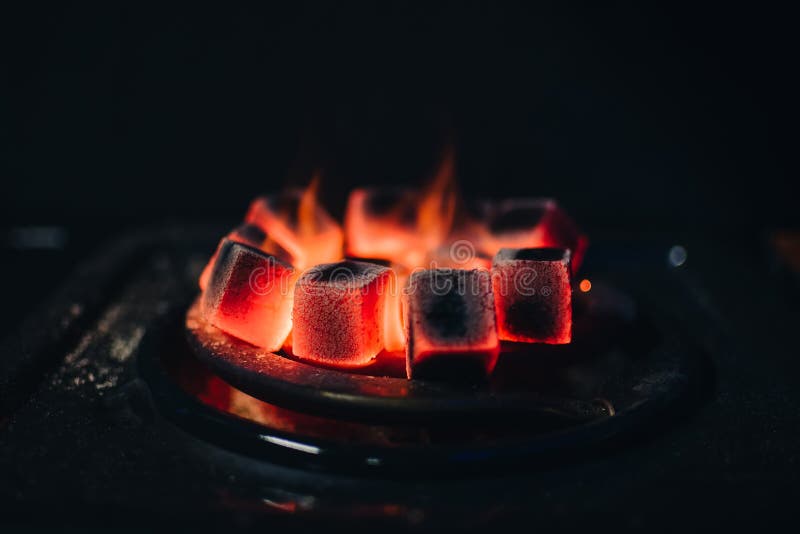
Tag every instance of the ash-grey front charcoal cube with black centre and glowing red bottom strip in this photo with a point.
(451, 325)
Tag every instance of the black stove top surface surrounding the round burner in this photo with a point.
(86, 436)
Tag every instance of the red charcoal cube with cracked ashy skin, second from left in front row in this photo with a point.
(339, 312)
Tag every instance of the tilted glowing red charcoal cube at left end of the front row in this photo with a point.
(249, 295)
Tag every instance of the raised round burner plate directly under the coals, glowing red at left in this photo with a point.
(346, 395)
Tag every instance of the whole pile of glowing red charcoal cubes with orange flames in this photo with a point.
(412, 273)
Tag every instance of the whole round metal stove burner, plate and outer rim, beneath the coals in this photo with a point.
(624, 370)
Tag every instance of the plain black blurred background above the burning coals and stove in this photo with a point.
(656, 118)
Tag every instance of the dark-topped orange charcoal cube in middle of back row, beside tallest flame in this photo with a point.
(380, 222)
